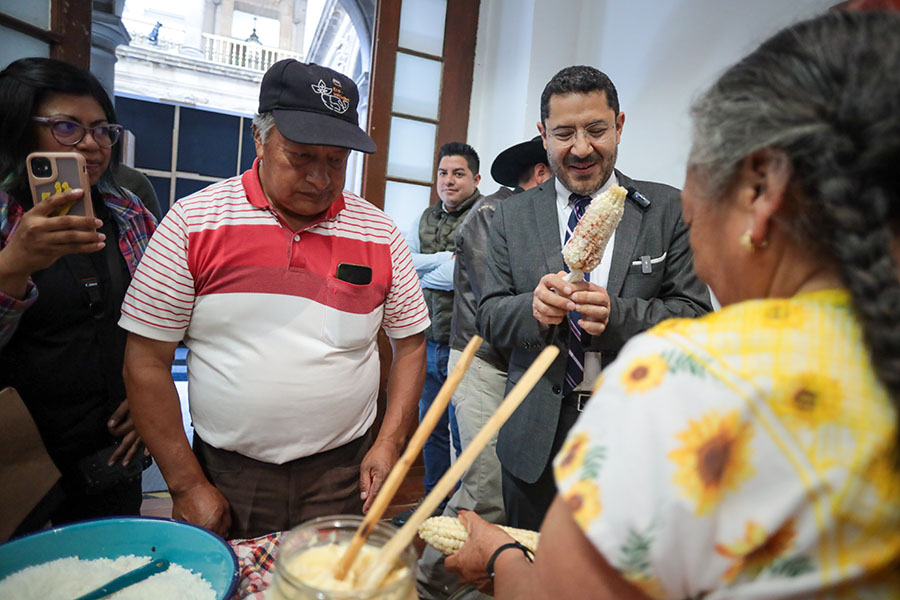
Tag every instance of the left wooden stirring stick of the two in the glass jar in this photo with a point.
(395, 478)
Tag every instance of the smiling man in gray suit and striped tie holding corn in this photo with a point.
(646, 276)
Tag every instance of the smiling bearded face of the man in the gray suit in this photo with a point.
(581, 134)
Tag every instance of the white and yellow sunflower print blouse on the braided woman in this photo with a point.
(746, 454)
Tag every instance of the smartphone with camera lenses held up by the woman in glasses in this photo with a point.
(50, 173)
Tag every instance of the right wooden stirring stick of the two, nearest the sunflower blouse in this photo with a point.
(382, 563)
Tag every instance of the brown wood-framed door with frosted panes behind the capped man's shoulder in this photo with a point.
(419, 100)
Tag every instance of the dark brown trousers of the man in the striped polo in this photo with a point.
(266, 497)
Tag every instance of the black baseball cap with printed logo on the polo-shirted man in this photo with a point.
(313, 105)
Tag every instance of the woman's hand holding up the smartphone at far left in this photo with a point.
(41, 238)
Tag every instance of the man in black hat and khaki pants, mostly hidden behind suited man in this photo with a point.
(482, 388)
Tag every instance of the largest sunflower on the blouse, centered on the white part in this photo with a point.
(713, 458)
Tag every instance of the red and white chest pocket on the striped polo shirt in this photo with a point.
(353, 313)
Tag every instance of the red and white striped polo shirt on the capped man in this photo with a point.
(283, 361)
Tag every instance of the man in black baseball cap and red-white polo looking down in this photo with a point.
(278, 281)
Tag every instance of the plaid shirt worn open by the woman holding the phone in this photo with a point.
(135, 225)
